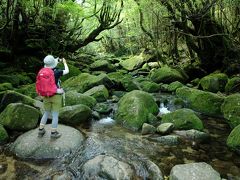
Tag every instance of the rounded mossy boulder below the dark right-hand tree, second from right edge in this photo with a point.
(214, 82)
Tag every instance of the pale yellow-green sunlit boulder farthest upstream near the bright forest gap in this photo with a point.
(135, 62)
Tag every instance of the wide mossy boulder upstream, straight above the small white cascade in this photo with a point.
(166, 75)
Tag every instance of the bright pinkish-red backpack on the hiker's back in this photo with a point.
(45, 82)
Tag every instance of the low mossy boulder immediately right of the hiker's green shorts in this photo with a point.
(74, 98)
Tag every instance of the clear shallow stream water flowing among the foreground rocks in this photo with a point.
(105, 137)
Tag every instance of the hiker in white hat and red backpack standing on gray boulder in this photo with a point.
(48, 86)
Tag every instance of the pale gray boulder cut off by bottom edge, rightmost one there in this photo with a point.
(199, 171)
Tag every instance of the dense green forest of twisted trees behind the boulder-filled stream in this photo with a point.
(199, 36)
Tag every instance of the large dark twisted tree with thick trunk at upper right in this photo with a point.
(204, 34)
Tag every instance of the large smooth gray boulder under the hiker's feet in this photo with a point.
(30, 146)
